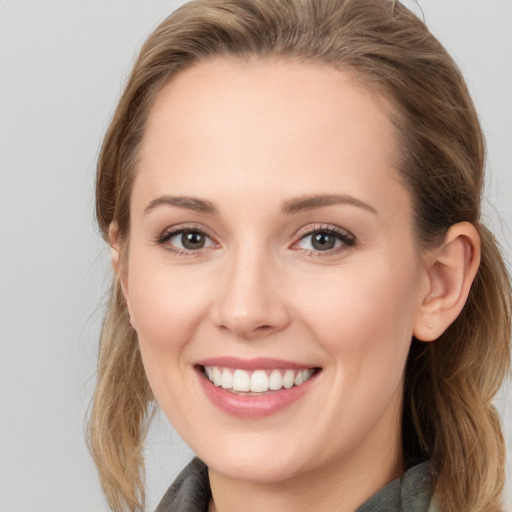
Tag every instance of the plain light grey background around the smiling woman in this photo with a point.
(62, 65)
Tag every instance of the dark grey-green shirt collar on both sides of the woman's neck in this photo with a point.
(412, 492)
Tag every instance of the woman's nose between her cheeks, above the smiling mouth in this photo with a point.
(251, 302)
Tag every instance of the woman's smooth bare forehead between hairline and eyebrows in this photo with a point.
(250, 126)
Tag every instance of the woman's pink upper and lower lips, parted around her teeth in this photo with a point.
(252, 406)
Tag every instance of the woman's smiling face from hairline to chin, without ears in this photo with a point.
(272, 242)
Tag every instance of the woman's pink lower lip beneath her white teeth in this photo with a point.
(253, 406)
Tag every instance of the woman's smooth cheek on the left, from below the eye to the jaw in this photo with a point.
(167, 308)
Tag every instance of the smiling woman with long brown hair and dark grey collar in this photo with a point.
(291, 191)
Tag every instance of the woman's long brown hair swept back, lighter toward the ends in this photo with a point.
(450, 384)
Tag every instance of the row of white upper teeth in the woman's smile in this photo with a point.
(259, 381)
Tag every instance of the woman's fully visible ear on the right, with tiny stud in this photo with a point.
(451, 270)
